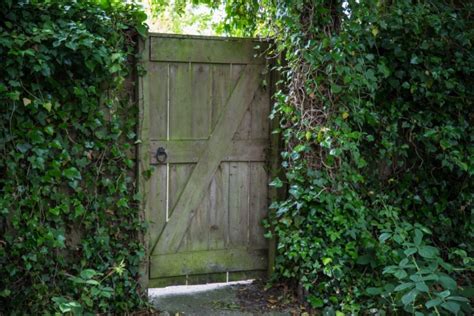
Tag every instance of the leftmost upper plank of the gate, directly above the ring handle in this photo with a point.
(158, 109)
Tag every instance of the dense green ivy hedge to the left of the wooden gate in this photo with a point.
(69, 220)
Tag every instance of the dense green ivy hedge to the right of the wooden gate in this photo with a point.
(377, 118)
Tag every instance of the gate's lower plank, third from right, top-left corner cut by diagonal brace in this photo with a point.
(219, 208)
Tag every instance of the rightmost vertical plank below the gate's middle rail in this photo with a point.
(258, 204)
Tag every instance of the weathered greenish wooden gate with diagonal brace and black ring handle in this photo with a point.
(204, 128)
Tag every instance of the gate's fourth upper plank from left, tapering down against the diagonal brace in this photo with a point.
(221, 88)
